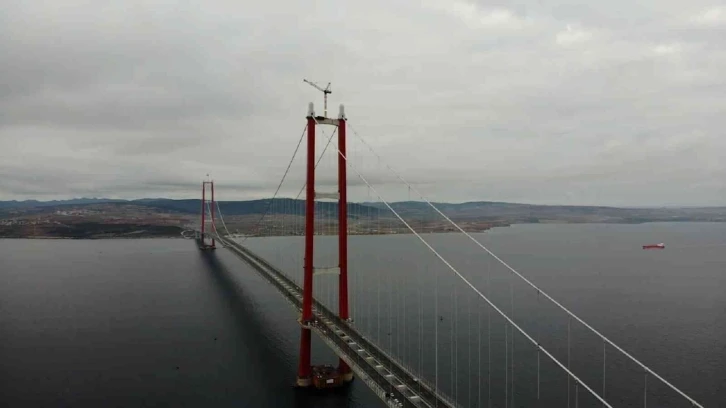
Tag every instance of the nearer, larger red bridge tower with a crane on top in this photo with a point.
(305, 369)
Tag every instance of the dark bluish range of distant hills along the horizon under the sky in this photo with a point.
(476, 210)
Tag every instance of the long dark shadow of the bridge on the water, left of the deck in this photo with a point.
(274, 375)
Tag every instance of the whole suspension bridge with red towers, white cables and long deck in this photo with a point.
(421, 327)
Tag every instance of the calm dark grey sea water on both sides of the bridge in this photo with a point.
(137, 323)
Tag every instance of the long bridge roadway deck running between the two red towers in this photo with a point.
(393, 383)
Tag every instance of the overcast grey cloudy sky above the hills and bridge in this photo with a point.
(543, 101)
